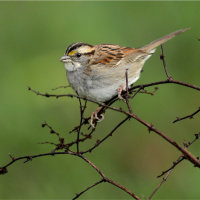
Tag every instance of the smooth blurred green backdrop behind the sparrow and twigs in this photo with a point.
(33, 36)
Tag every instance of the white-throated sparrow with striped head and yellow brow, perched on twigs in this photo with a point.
(97, 72)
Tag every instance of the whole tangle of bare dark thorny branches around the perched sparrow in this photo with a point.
(84, 121)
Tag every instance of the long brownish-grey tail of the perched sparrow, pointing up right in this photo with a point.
(160, 41)
